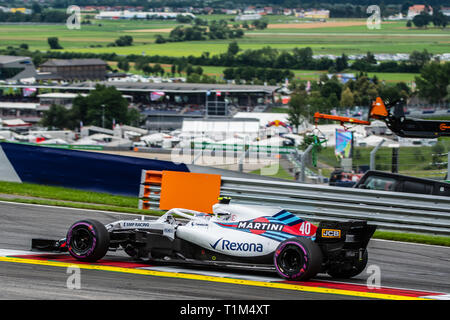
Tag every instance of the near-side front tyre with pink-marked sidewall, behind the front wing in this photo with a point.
(87, 240)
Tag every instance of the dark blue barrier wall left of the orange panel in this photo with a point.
(83, 170)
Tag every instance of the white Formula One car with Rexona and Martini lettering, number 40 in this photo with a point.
(234, 235)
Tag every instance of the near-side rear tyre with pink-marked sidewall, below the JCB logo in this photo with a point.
(298, 259)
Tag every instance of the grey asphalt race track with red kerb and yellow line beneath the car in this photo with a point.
(407, 270)
